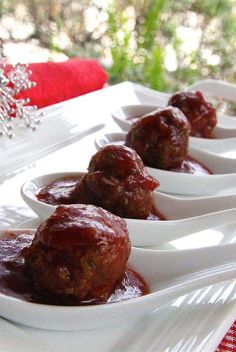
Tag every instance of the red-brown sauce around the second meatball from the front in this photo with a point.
(58, 192)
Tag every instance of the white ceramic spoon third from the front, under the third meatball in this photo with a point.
(223, 169)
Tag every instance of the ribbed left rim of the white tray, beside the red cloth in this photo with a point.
(62, 124)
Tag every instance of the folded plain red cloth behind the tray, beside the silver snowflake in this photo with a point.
(57, 82)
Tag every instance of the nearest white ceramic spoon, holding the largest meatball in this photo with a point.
(168, 274)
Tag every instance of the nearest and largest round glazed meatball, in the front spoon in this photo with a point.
(78, 254)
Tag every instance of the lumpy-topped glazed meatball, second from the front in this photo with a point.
(117, 181)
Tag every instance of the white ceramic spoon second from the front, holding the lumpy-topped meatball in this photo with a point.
(185, 216)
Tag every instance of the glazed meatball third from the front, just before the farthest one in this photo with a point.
(160, 138)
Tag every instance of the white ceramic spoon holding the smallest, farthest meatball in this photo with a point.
(225, 128)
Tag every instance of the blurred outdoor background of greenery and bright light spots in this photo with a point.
(163, 44)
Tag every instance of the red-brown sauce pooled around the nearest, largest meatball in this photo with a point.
(15, 281)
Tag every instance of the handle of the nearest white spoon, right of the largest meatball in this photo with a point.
(165, 265)
